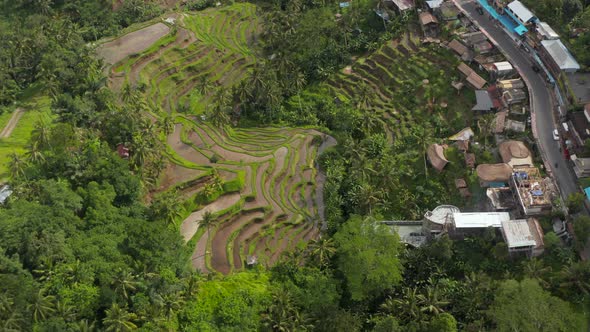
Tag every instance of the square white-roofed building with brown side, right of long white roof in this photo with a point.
(523, 236)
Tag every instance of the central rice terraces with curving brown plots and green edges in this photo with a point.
(272, 203)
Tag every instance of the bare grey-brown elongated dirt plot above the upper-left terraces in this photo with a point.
(132, 43)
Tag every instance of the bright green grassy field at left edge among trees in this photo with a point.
(37, 108)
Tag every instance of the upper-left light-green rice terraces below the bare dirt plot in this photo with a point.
(209, 46)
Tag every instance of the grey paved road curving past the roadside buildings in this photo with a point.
(542, 101)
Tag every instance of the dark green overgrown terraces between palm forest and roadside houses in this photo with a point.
(394, 77)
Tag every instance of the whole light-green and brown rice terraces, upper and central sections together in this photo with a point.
(261, 184)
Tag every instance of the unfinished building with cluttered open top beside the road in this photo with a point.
(530, 191)
